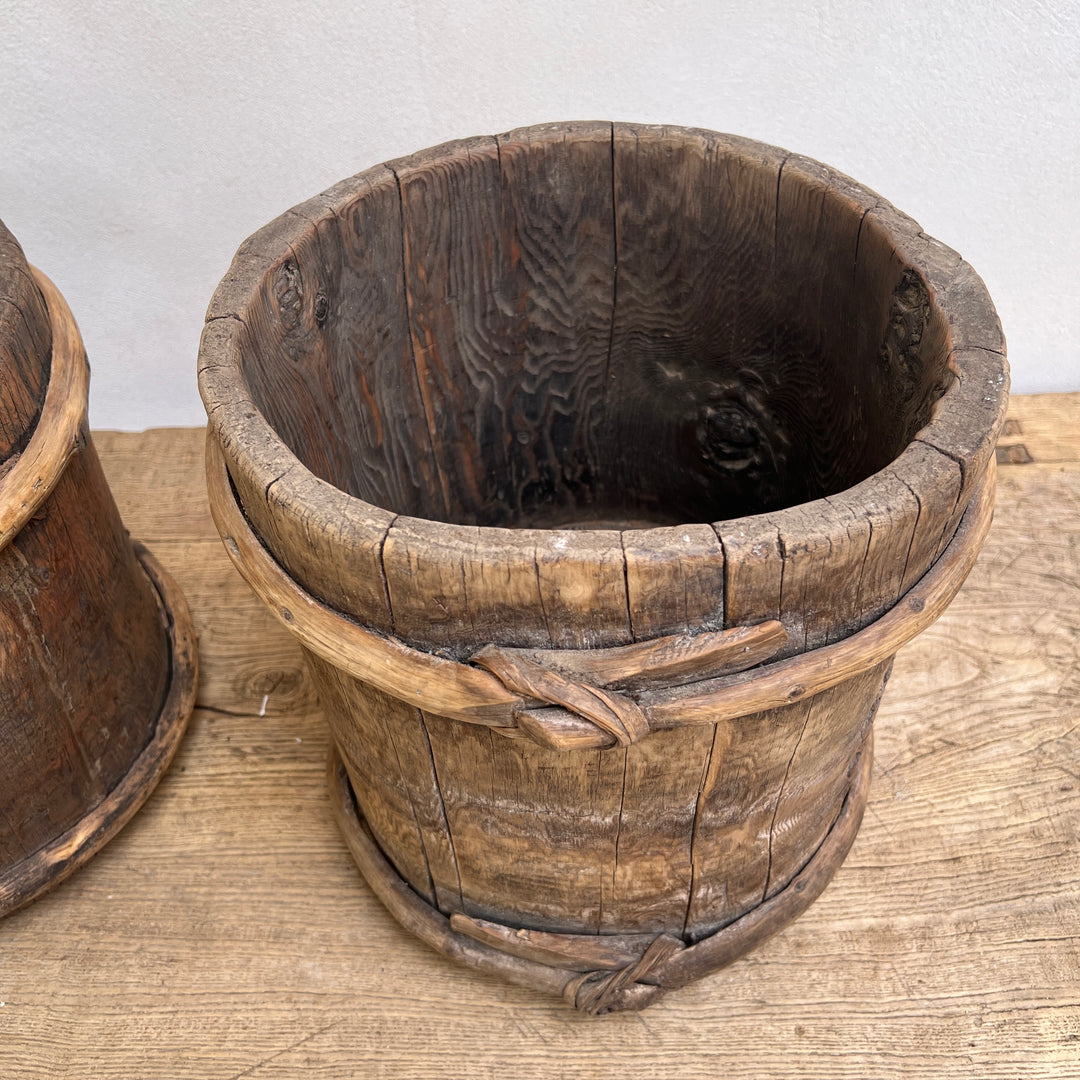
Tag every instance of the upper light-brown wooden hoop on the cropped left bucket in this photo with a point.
(61, 429)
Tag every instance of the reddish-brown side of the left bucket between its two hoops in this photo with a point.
(83, 640)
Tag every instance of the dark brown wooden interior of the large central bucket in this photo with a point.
(584, 331)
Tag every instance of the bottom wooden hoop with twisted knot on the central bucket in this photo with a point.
(598, 974)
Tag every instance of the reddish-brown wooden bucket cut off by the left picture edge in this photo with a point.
(98, 653)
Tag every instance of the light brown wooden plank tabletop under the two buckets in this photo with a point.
(226, 933)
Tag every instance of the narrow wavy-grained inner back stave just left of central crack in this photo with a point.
(557, 212)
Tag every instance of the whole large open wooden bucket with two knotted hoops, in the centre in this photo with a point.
(601, 470)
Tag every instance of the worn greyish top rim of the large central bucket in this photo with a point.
(964, 427)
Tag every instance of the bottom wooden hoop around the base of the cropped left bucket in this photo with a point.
(50, 866)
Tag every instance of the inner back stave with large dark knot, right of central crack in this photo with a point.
(693, 321)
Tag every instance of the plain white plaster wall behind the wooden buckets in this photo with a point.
(142, 142)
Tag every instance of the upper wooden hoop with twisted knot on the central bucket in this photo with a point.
(549, 696)
